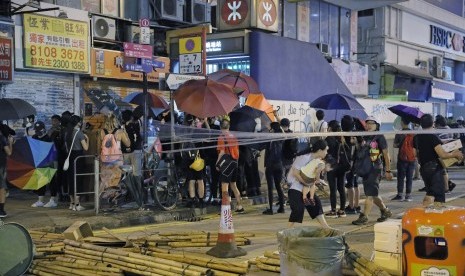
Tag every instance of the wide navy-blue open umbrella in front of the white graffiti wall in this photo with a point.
(336, 101)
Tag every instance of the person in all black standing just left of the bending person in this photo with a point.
(274, 169)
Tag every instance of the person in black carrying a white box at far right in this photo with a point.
(429, 150)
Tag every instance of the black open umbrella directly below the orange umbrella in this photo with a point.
(243, 119)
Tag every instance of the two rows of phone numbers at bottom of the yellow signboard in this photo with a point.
(65, 59)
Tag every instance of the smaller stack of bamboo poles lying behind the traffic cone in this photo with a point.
(189, 239)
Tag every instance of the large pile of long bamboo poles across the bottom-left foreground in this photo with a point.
(57, 256)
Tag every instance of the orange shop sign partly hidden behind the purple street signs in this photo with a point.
(110, 64)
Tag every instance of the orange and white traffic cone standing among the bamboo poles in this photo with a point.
(226, 246)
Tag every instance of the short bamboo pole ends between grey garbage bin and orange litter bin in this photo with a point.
(361, 266)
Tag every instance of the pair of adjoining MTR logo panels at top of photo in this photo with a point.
(244, 14)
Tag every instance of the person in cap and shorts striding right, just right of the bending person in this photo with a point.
(378, 148)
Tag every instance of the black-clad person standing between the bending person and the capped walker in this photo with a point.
(337, 150)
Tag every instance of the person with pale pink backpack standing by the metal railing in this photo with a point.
(110, 152)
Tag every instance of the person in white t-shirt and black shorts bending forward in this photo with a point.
(298, 206)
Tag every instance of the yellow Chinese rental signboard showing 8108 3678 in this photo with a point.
(55, 44)
